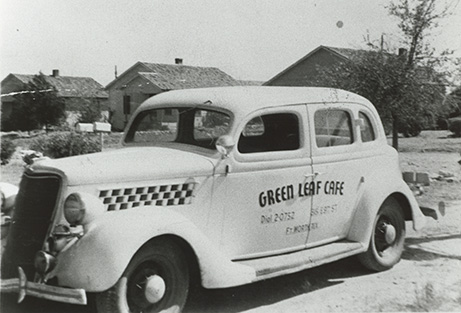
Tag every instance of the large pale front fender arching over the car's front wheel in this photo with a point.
(97, 260)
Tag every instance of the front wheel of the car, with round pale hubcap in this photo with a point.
(156, 280)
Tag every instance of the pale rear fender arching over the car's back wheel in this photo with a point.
(371, 198)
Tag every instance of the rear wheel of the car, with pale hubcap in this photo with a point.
(387, 239)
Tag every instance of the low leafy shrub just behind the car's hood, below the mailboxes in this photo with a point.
(64, 144)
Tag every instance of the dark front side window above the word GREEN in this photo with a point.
(271, 132)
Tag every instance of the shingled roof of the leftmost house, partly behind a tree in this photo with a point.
(69, 86)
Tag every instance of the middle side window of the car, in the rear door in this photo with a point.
(333, 127)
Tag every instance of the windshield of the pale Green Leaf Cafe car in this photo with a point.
(199, 127)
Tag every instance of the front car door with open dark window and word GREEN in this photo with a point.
(263, 213)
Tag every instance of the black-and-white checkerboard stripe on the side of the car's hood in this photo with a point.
(160, 195)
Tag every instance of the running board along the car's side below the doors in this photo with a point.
(300, 260)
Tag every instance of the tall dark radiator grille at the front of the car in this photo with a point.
(35, 203)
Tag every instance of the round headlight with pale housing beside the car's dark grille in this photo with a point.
(81, 208)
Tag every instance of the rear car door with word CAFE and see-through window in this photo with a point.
(339, 165)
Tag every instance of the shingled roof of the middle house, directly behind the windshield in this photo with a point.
(178, 76)
